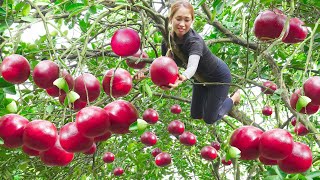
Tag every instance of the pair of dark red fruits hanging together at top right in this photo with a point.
(269, 24)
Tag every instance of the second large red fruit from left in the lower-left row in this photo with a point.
(40, 135)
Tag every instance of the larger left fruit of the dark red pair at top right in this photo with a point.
(269, 24)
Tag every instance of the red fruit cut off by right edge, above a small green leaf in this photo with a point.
(312, 89)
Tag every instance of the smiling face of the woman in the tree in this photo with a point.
(181, 21)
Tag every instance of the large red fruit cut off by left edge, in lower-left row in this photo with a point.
(11, 129)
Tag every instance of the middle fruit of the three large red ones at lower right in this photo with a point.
(276, 144)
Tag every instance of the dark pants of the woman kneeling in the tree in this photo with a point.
(211, 102)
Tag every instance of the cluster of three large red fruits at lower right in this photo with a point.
(273, 147)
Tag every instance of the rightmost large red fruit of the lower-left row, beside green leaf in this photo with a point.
(121, 115)
